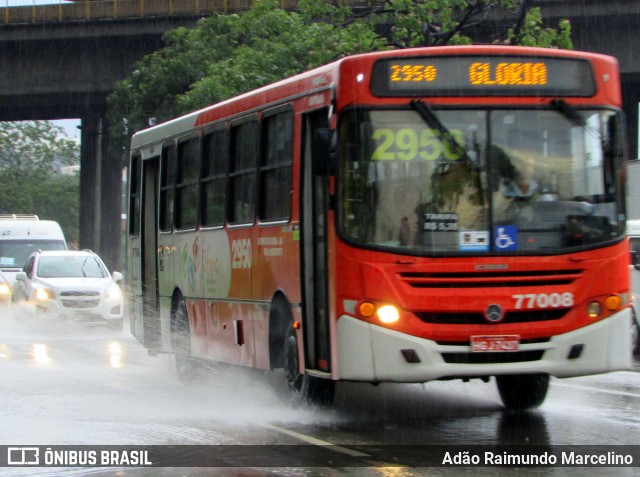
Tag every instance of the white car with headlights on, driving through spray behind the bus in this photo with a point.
(71, 284)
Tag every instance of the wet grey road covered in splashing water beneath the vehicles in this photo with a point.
(72, 385)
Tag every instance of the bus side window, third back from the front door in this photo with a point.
(215, 165)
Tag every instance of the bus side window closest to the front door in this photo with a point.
(275, 167)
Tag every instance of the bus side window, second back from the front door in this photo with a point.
(242, 172)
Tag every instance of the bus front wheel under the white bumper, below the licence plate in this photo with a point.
(522, 391)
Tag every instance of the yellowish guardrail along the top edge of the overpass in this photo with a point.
(89, 10)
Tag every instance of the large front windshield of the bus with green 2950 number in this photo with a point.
(487, 181)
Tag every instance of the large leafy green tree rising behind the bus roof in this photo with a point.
(225, 55)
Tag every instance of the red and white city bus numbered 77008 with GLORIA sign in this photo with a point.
(398, 216)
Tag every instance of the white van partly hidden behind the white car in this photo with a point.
(20, 236)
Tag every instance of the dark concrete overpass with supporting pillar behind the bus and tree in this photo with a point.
(61, 61)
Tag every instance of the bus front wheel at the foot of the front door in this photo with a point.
(304, 389)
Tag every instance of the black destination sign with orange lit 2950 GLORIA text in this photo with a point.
(483, 76)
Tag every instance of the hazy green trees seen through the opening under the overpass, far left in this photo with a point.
(31, 152)
